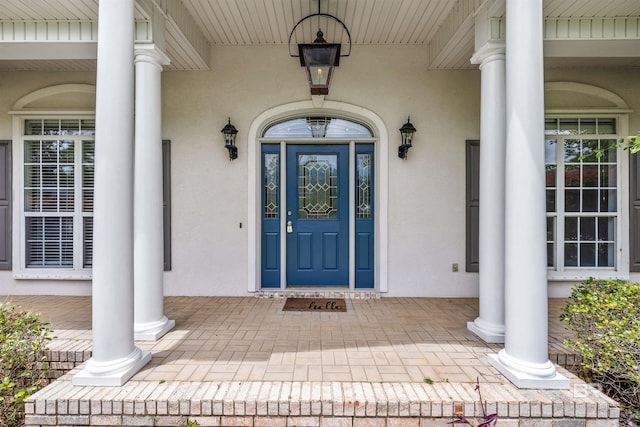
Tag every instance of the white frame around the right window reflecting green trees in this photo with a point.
(621, 263)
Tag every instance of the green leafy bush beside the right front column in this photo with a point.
(605, 317)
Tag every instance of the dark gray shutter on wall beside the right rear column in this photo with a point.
(473, 204)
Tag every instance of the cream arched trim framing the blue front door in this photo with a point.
(254, 222)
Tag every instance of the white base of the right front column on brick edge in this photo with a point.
(528, 375)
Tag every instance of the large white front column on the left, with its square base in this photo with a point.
(115, 357)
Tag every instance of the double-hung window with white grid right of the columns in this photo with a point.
(583, 179)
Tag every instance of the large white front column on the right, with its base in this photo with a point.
(525, 358)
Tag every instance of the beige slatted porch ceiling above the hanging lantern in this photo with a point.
(198, 24)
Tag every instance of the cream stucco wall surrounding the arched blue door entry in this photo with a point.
(209, 193)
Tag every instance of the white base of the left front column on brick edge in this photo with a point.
(114, 373)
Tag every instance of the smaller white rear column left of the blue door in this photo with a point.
(150, 323)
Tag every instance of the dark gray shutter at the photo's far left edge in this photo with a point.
(5, 205)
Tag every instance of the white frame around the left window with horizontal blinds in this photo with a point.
(20, 271)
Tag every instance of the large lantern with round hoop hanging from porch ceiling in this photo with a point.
(319, 58)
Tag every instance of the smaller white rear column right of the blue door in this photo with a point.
(489, 325)
